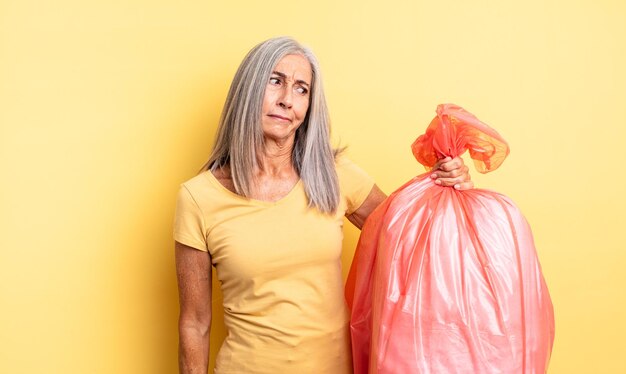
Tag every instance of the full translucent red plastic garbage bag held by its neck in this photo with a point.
(447, 281)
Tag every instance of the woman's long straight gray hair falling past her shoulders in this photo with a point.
(239, 142)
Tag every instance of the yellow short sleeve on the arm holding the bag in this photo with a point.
(354, 182)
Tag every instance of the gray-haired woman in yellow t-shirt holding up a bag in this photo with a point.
(268, 213)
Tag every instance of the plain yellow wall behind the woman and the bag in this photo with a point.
(107, 106)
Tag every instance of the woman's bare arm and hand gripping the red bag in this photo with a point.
(449, 172)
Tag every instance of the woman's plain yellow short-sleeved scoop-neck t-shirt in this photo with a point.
(279, 265)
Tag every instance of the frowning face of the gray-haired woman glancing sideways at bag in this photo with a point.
(286, 99)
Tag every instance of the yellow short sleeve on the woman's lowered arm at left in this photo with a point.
(189, 222)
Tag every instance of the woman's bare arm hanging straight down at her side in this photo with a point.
(193, 270)
